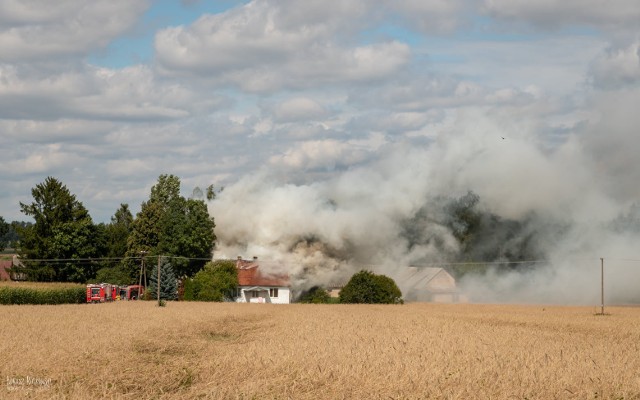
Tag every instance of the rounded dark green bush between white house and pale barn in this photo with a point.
(367, 287)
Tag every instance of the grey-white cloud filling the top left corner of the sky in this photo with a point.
(41, 30)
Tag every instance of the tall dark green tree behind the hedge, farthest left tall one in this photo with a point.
(62, 230)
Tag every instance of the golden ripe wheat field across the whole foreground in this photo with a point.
(137, 350)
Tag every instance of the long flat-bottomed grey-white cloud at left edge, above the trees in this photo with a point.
(132, 93)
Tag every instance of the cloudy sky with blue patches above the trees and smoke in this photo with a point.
(108, 95)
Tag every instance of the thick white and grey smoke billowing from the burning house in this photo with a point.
(484, 195)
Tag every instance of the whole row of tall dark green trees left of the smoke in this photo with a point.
(63, 244)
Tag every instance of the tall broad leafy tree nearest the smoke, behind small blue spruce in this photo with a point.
(169, 224)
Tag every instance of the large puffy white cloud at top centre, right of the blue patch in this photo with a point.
(264, 46)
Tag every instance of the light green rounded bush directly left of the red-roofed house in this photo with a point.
(215, 282)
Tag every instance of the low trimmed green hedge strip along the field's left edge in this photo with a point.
(9, 295)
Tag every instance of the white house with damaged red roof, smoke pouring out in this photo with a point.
(255, 285)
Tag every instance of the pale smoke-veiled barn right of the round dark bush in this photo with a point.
(428, 284)
